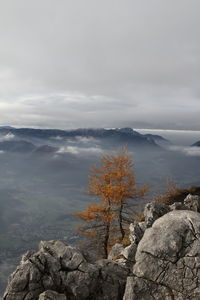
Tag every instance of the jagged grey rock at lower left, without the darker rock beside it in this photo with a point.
(56, 266)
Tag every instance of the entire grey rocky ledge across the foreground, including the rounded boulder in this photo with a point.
(161, 262)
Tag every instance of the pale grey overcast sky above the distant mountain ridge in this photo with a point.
(100, 63)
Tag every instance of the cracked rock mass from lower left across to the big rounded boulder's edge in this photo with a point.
(63, 269)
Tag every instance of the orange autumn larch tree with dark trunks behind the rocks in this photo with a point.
(114, 185)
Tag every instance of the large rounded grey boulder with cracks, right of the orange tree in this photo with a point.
(168, 259)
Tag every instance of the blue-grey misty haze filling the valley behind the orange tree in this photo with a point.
(40, 190)
